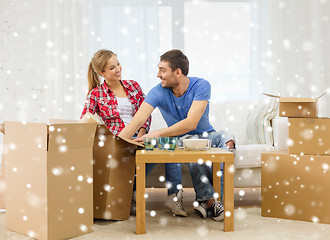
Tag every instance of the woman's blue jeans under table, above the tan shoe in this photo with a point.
(172, 175)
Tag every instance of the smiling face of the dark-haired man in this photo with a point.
(168, 78)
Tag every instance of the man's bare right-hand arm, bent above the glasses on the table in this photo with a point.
(186, 125)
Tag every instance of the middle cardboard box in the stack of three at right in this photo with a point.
(309, 136)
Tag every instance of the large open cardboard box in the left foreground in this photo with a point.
(49, 175)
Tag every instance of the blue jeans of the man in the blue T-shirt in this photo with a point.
(201, 174)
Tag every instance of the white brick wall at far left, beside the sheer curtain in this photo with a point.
(22, 60)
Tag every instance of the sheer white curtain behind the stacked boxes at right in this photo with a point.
(290, 49)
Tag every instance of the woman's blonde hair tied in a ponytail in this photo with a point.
(97, 64)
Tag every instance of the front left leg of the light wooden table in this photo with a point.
(140, 200)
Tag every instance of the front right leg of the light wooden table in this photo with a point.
(228, 197)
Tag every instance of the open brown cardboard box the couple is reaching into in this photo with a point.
(114, 170)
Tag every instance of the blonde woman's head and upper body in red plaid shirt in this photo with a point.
(115, 100)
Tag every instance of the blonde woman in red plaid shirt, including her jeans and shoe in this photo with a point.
(116, 101)
